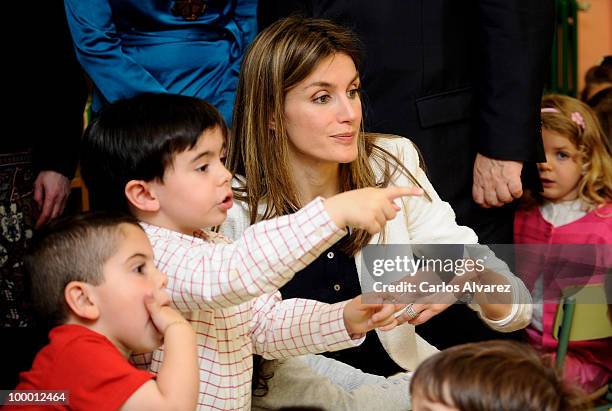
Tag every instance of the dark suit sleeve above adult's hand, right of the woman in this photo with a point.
(514, 39)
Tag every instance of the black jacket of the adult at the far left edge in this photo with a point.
(45, 90)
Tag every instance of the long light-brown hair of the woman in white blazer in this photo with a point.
(280, 57)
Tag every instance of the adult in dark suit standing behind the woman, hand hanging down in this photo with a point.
(463, 80)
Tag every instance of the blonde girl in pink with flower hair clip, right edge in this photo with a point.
(574, 208)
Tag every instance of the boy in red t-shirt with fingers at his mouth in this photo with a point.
(94, 276)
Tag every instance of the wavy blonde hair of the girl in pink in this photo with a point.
(574, 120)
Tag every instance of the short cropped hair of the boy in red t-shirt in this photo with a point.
(69, 249)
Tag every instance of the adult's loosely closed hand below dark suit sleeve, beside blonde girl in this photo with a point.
(496, 182)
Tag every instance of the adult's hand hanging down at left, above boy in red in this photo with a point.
(51, 191)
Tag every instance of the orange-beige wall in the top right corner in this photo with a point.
(594, 35)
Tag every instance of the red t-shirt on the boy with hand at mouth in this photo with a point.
(86, 364)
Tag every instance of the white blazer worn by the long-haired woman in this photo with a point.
(419, 222)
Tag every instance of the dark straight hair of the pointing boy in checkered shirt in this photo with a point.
(137, 139)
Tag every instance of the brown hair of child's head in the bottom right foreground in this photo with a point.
(491, 376)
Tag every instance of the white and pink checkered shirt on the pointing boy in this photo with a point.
(228, 291)
